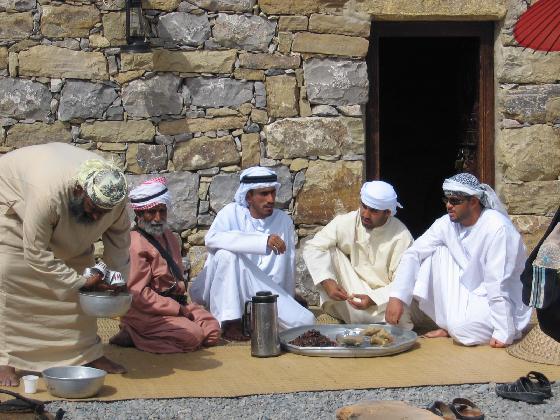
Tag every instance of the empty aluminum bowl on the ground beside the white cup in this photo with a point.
(74, 381)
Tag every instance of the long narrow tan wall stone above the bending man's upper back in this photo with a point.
(118, 131)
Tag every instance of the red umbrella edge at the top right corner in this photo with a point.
(539, 27)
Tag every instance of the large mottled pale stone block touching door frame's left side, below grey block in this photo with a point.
(302, 137)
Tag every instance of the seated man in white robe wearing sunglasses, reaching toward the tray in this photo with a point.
(464, 270)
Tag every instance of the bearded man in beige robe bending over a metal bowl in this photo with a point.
(56, 200)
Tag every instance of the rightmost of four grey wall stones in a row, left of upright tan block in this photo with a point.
(219, 92)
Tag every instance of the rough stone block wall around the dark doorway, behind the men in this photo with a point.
(233, 83)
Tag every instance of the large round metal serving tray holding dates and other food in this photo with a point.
(403, 341)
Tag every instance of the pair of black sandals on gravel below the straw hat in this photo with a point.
(533, 388)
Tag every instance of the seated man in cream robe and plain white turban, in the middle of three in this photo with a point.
(353, 258)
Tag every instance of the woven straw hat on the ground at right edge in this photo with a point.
(537, 347)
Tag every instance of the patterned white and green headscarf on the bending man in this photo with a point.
(103, 182)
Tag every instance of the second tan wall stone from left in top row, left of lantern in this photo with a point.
(62, 21)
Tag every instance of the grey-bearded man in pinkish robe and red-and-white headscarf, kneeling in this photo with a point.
(160, 320)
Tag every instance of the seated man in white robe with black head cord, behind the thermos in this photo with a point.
(251, 248)
